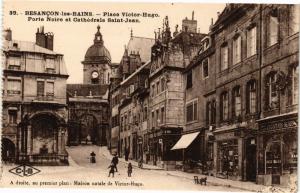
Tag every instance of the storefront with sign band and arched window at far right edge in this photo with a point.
(277, 149)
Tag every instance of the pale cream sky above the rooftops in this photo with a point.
(72, 39)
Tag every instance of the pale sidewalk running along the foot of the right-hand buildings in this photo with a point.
(211, 180)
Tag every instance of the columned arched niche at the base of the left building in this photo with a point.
(41, 139)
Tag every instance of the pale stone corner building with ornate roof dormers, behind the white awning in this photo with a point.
(170, 56)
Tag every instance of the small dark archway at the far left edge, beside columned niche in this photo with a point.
(7, 150)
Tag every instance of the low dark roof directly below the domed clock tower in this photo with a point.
(85, 89)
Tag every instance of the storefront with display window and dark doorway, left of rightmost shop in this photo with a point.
(235, 153)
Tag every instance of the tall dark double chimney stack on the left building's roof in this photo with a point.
(44, 40)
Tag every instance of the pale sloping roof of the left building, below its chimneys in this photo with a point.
(26, 46)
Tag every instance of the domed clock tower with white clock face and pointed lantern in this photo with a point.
(96, 64)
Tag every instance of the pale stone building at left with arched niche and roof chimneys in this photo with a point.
(34, 113)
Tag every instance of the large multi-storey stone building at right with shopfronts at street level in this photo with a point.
(255, 100)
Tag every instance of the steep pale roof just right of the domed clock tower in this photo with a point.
(142, 45)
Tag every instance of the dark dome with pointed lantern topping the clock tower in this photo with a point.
(97, 52)
